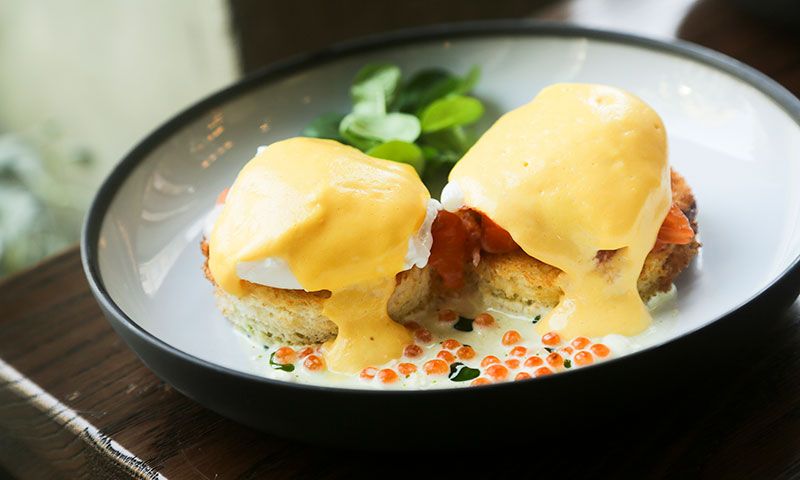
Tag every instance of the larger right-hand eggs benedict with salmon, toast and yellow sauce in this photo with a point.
(583, 196)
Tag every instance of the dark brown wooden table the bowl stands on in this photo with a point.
(74, 401)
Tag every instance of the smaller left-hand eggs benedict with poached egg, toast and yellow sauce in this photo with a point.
(316, 242)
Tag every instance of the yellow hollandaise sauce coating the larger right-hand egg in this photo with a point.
(581, 168)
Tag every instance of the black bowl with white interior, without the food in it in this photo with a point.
(732, 130)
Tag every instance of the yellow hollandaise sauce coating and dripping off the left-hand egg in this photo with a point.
(342, 221)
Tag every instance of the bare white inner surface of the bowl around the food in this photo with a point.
(738, 149)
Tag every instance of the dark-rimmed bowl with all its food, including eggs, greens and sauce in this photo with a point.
(391, 247)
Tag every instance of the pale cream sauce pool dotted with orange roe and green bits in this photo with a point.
(465, 361)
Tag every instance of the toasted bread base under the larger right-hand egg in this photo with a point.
(517, 283)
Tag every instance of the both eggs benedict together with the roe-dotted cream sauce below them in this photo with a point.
(557, 233)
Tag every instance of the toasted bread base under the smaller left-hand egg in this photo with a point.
(294, 317)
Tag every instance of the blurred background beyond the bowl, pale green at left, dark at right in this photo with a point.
(82, 81)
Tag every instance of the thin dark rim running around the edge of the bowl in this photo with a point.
(520, 27)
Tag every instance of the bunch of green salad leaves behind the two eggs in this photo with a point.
(423, 121)
